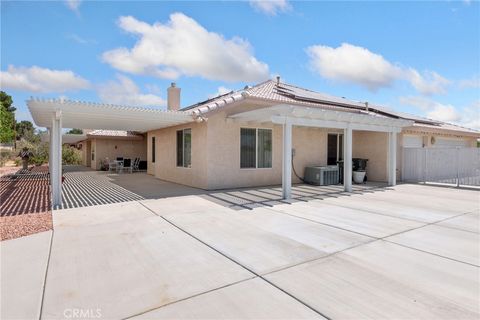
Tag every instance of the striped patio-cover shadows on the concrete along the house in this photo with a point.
(84, 187)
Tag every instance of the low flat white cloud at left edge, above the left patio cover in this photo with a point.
(36, 79)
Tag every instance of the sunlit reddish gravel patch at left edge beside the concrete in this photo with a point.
(25, 224)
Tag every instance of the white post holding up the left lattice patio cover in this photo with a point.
(56, 159)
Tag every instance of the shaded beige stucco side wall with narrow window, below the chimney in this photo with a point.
(165, 166)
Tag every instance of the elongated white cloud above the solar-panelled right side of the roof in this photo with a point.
(354, 64)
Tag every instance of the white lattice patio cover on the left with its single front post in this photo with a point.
(56, 114)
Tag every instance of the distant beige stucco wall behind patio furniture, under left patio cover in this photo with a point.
(113, 148)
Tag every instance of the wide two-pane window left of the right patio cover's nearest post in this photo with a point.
(255, 148)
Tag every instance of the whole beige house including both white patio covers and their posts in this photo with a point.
(261, 135)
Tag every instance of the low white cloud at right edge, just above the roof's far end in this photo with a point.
(468, 116)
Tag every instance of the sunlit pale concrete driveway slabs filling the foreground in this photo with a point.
(406, 252)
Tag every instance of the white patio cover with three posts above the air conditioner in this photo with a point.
(292, 115)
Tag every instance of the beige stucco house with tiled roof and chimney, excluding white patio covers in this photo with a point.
(222, 152)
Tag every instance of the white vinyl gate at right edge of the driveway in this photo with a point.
(454, 165)
